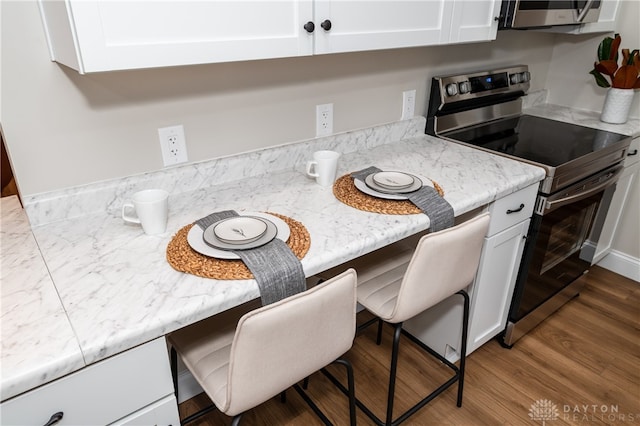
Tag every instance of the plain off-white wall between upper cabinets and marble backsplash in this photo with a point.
(64, 129)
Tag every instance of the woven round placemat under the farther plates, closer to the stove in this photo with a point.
(345, 191)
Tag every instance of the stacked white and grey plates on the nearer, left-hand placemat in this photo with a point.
(246, 231)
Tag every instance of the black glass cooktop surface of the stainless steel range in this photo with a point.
(538, 140)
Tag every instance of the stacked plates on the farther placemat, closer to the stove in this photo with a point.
(390, 185)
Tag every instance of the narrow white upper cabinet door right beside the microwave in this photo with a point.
(474, 20)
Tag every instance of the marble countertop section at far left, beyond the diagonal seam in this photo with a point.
(38, 342)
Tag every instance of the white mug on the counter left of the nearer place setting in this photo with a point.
(151, 207)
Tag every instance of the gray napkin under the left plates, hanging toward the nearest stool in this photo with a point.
(277, 270)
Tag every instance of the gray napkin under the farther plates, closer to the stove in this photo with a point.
(426, 199)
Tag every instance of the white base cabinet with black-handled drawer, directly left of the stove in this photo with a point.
(490, 294)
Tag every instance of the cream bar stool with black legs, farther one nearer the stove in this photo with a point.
(443, 264)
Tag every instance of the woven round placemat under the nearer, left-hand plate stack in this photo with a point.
(183, 258)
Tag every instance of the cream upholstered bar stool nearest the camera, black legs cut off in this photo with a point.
(241, 359)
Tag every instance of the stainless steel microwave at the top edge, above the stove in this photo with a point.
(522, 14)
